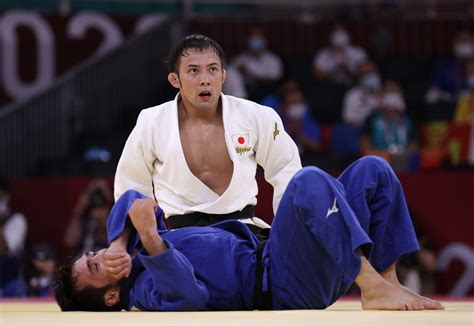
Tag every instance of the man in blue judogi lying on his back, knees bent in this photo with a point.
(327, 234)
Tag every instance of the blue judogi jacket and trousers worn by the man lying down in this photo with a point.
(312, 256)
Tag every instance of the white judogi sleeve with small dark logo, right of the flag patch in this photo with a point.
(276, 152)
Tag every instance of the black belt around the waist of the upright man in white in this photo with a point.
(203, 219)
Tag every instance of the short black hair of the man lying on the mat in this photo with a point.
(70, 298)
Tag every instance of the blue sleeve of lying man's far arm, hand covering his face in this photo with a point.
(119, 214)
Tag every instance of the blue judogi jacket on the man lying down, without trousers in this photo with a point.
(205, 268)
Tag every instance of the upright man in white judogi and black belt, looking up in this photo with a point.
(199, 152)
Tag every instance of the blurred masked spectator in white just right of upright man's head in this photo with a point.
(261, 69)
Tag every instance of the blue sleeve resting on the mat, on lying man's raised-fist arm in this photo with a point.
(168, 284)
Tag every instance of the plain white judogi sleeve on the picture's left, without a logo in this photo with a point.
(135, 167)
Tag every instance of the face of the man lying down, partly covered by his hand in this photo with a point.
(90, 270)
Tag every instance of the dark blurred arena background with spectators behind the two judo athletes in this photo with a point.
(393, 78)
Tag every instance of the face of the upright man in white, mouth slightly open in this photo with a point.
(200, 78)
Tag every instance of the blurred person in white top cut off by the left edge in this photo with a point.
(13, 229)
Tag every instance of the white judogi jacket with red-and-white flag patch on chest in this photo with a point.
(153, 157)
